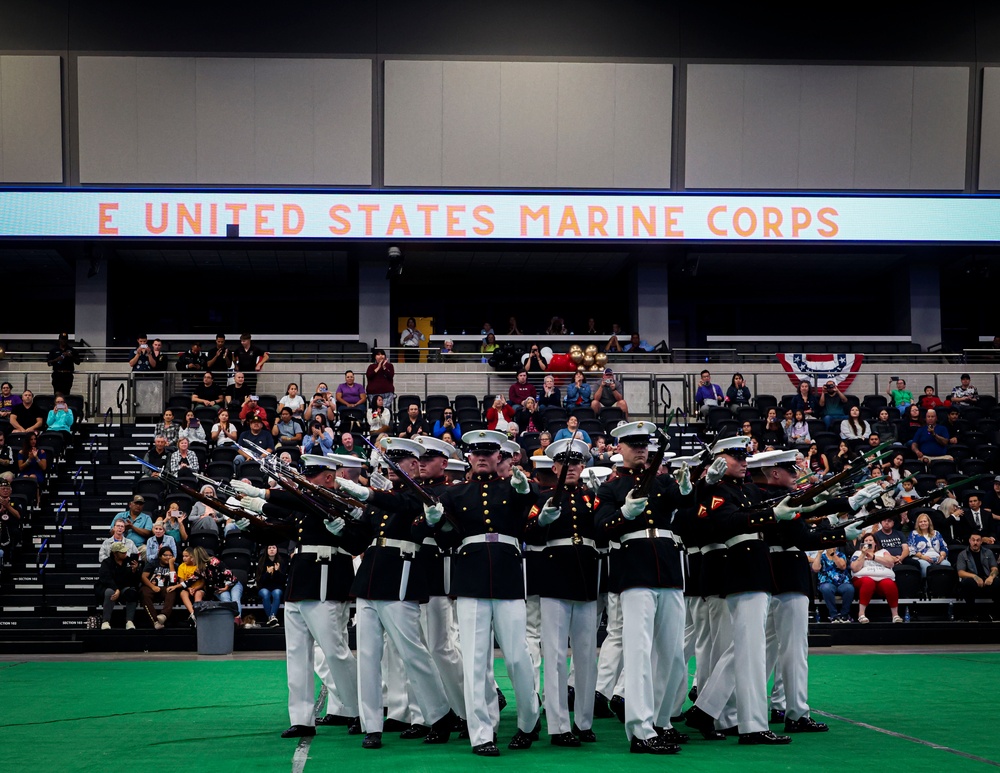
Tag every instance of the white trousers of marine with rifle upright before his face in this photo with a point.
(577, 622)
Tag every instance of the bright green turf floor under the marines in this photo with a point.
(223, 716)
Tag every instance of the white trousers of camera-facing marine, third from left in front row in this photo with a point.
(477, 620)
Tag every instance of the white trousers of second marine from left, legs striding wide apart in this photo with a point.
(400, 622)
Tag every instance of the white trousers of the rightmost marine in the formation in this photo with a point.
(790, 614)
